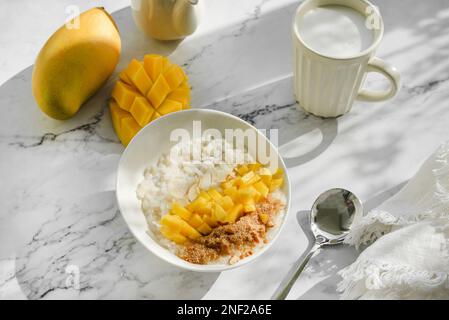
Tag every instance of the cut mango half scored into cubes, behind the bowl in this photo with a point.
(145, 91)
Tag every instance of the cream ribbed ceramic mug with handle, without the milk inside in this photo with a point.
(327, 86)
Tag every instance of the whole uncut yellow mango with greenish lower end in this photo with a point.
(74, 64)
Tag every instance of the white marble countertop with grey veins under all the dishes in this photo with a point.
(57, 178)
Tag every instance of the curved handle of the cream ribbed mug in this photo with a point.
(390, 72)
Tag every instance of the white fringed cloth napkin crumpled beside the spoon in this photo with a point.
(409, 258)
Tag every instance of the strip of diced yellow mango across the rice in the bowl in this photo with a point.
(238, 195)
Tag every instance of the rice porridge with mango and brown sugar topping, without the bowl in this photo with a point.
(208, 202)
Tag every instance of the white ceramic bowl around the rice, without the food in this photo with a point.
(146, 147)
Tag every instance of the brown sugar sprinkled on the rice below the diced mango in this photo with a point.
(235, 240)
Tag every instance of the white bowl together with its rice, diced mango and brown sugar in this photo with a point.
(193, 214)
